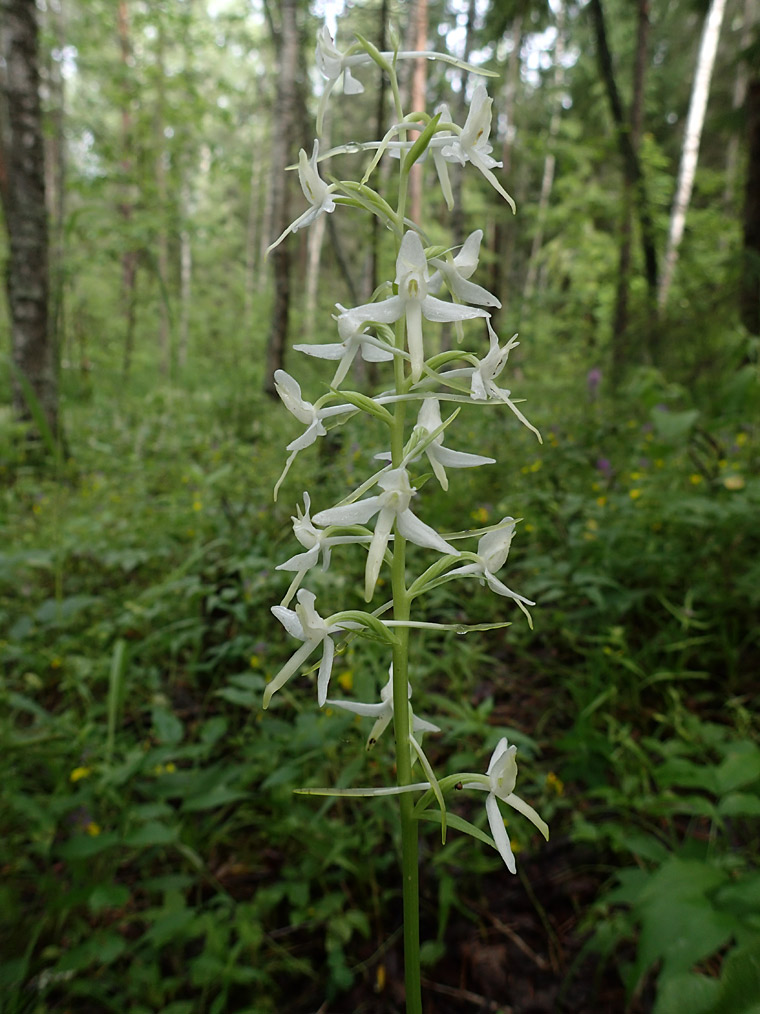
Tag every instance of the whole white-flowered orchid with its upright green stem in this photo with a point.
(432, 285)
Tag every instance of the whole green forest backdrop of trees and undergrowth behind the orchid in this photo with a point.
(154, 857)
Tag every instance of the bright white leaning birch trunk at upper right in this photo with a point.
(691, 151)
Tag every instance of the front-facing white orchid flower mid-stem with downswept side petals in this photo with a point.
(392, 506)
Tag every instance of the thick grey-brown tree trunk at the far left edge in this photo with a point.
(24, 200)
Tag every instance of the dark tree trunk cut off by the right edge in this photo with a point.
(750, 286)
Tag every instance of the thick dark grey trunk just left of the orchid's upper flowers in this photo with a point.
(286, 118)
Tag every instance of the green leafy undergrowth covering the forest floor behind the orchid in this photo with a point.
(155, 856)
